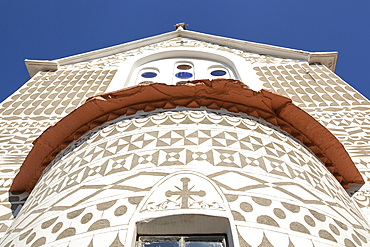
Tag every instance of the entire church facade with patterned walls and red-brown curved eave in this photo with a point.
(185, 139)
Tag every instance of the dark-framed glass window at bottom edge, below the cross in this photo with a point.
(181, 241)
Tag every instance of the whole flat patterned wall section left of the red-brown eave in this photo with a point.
(40, 103)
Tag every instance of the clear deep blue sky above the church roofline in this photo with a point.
(45, 29)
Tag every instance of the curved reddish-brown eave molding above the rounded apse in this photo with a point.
(232, 95)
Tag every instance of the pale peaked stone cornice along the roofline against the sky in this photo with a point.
(329, 59)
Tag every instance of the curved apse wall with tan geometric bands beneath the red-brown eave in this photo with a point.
(275, 188)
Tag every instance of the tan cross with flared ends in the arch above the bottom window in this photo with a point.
(185, 193)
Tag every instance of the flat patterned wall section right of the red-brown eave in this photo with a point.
(332, 102)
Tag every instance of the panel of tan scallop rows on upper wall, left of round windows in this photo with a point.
(56, 93)
